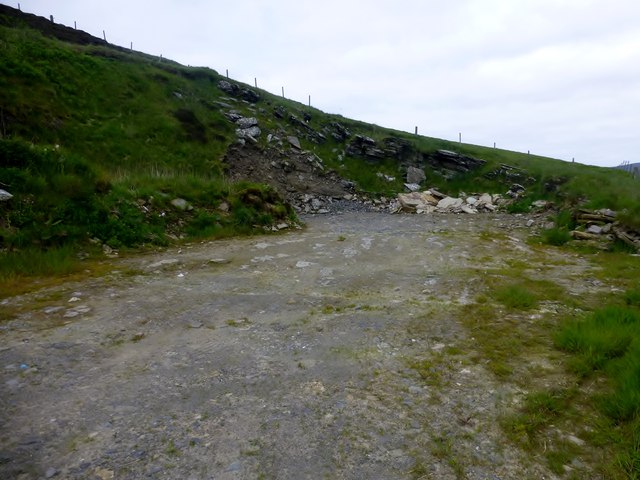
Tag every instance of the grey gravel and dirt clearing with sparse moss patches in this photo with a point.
(270, 357)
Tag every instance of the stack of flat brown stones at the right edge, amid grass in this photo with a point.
(601, 225)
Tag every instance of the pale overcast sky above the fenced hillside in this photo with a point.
(560, 78)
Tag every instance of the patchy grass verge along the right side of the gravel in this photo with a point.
(581, 411)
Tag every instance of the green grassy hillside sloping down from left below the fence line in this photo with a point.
(97, 141)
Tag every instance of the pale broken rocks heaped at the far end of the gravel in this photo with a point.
(432, 201)
